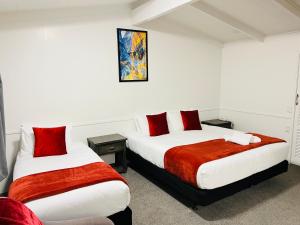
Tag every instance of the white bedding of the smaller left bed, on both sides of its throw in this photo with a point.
(103, 199)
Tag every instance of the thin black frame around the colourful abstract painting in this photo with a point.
(145, 55)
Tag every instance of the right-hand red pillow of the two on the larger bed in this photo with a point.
(190, 120)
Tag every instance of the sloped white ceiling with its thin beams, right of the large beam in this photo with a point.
(232, 20)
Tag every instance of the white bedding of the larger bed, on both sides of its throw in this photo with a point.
(215, 173)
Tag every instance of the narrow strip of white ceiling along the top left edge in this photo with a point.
(21, 5)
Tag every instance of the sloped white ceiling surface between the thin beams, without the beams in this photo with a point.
(265, 16)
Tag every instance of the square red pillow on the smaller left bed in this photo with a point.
(49, 141)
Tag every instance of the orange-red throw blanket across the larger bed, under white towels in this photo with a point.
(184, 161)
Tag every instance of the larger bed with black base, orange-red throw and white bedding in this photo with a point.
(201, 166)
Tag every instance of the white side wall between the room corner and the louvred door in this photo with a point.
(258, 84)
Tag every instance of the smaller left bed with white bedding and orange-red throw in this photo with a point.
(75, 185)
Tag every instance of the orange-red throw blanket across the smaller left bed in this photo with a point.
(50, 183)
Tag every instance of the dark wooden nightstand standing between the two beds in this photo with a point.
(107, 144)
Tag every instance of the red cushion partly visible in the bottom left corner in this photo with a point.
(15, 213)
